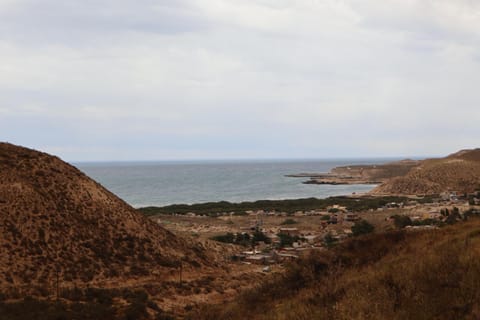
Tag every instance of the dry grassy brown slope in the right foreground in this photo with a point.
(428, 275)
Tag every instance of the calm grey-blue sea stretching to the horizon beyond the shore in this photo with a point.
(162, 183)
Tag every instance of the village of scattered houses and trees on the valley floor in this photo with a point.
(272, 237)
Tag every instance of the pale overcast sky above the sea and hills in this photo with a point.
(237, 79)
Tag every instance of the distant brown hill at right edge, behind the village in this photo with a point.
(458, 172)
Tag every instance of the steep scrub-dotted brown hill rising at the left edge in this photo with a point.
(53, 217)
